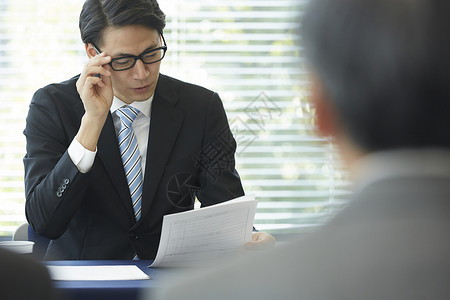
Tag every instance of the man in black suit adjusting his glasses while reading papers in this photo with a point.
(80, 189)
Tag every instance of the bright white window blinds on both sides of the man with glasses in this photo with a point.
(247, 51)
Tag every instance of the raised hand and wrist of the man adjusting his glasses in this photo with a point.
(97, 94)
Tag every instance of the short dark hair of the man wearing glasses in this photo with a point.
(97, 15)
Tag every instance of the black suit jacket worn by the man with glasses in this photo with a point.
(90, 216)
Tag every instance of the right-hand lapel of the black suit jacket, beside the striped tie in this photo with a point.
(165, 123)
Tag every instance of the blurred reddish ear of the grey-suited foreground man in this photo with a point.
(325, 114)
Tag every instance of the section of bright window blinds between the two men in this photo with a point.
(249, 52)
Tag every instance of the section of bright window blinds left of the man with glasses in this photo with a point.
(39, 44)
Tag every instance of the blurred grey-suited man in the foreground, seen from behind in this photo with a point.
(380, 85)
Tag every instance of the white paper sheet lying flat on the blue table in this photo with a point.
(85, 273)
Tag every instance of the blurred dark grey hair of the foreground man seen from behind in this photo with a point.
(384, 65)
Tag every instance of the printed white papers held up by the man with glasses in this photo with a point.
(207, 233)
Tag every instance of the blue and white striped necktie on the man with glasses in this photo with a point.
(131, 157)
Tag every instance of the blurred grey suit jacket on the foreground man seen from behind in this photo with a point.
(390, 242)
